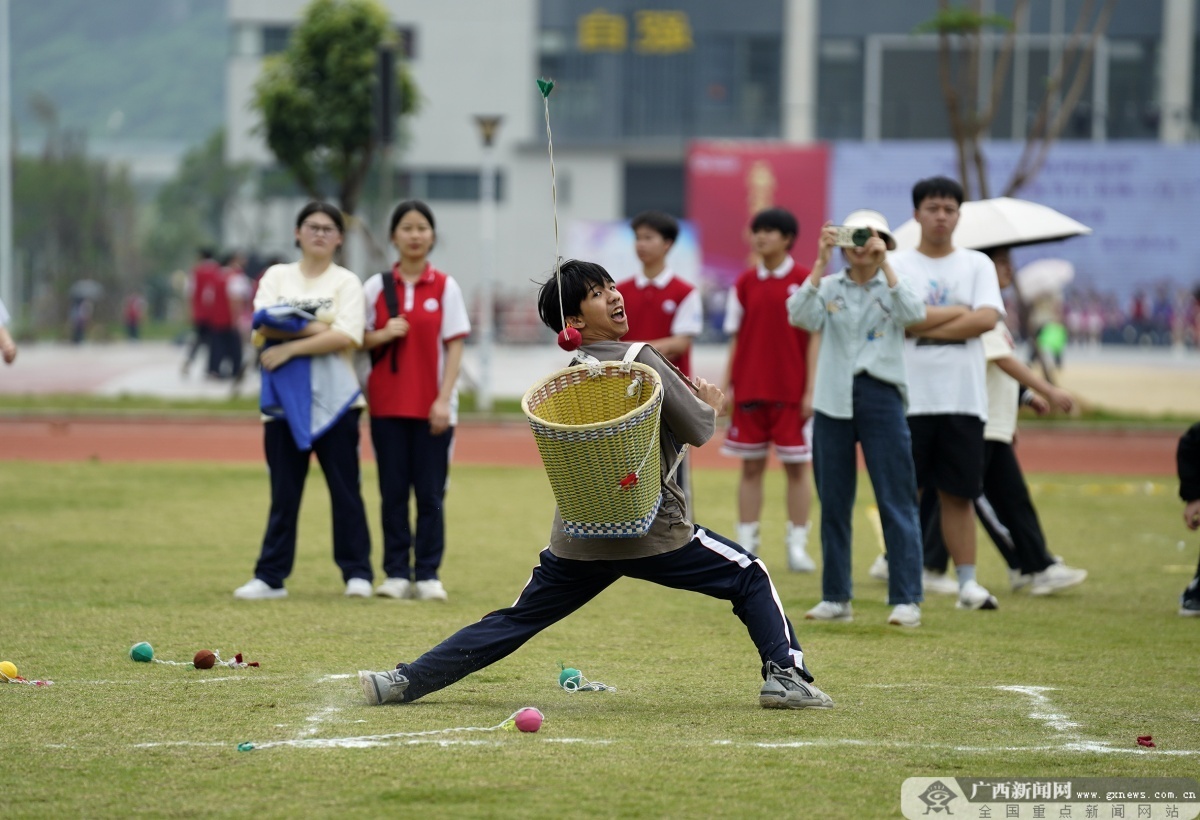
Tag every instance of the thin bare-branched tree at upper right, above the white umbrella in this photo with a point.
(961, 31)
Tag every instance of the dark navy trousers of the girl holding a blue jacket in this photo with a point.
(338, 451)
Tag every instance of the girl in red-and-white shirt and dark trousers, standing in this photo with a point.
(417, 348)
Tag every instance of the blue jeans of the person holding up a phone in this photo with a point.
(881, 428)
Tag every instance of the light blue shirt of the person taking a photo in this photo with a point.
(862, 332)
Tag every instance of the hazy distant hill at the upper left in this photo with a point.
(127, 70)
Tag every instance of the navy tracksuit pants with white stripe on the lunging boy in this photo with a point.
(709, 564)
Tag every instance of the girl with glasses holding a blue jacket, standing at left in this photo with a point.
(309, 320)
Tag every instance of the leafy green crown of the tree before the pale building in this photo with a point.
(317, 98)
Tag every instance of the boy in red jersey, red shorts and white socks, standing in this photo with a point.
(766, 382)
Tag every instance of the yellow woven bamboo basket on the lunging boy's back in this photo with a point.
(598, 434)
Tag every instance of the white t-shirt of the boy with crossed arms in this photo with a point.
(949, 378)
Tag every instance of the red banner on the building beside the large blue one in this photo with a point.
(731, 182)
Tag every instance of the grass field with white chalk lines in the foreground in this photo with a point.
(97, 558)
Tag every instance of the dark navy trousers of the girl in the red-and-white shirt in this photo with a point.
(412, 460)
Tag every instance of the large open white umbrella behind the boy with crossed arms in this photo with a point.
(1001, 223)
